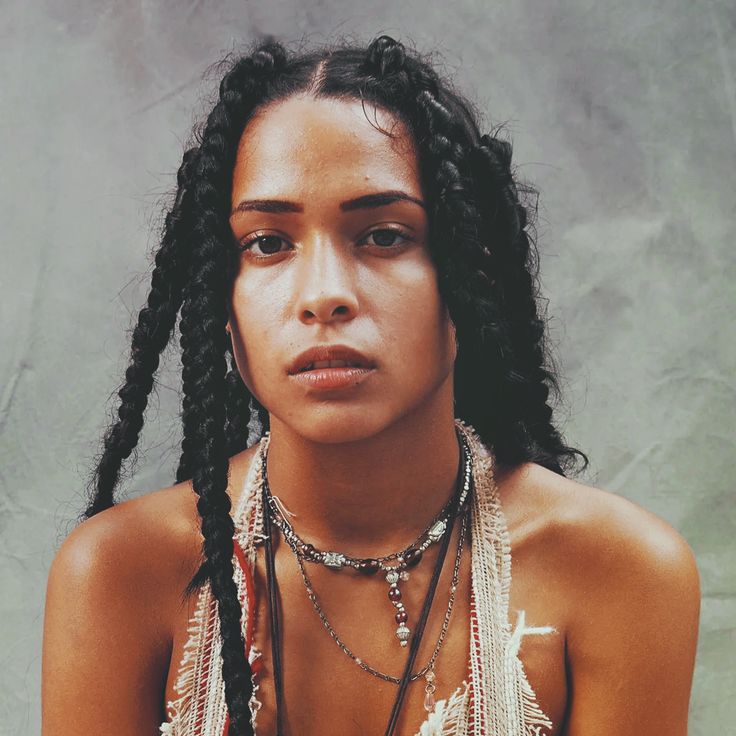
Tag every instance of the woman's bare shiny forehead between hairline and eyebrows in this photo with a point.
(306, 148)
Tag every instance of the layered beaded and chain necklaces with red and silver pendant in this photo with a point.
(395, 569)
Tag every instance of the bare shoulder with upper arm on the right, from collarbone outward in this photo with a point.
(631, 590)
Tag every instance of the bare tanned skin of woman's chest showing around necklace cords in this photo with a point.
(325, 688)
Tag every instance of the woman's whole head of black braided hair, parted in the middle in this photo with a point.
(479, 242)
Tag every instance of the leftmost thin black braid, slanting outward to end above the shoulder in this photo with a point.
(151, 335)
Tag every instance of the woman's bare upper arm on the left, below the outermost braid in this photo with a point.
(105, 641)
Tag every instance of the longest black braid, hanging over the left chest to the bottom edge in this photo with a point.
(204, 343)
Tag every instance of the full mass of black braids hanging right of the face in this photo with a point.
(479, 242)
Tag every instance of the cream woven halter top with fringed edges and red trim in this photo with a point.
(496, 700)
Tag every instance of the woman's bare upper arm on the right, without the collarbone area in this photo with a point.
(631, 645)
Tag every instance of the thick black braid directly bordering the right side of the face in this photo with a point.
(442, 131)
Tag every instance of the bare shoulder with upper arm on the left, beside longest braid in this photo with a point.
(113, 591)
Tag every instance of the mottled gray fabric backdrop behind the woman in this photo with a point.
(623, 114)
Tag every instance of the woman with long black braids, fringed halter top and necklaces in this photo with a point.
(349, 243)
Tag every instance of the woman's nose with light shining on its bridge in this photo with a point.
(326, 283)
